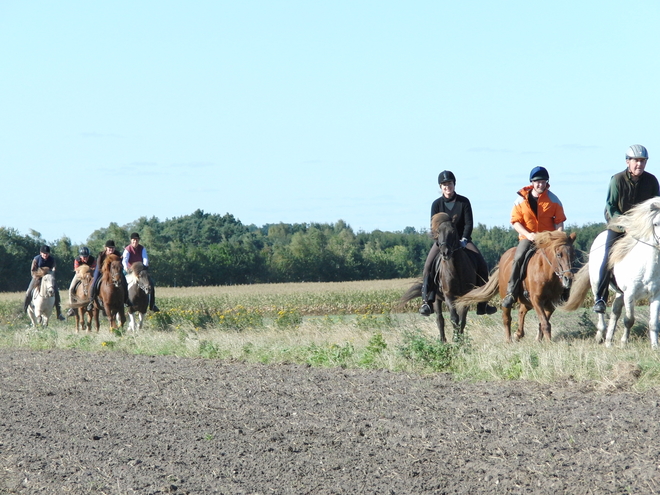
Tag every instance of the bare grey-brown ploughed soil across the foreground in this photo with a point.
(73, 422)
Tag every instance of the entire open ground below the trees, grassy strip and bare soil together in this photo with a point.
(255, 390)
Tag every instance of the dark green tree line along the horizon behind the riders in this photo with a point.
(211, 249)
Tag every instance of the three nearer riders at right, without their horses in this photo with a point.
(535, 210)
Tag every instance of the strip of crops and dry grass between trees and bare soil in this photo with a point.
(349, 325)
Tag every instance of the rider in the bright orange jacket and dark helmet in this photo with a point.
(535, 210)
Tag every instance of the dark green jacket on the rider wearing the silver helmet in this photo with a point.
(623, 193)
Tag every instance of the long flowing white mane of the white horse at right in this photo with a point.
(638, 225)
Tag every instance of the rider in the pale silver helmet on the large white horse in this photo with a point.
(628, 188)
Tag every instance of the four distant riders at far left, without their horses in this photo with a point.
(134, 253)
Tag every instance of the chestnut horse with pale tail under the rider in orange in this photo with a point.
(549, 274)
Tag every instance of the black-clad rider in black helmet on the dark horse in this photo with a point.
(454, 205)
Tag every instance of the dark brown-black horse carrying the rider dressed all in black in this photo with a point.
(455, 275)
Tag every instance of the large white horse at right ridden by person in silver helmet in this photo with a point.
(635, 263)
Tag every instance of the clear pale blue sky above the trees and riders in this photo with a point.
(292, 111)
